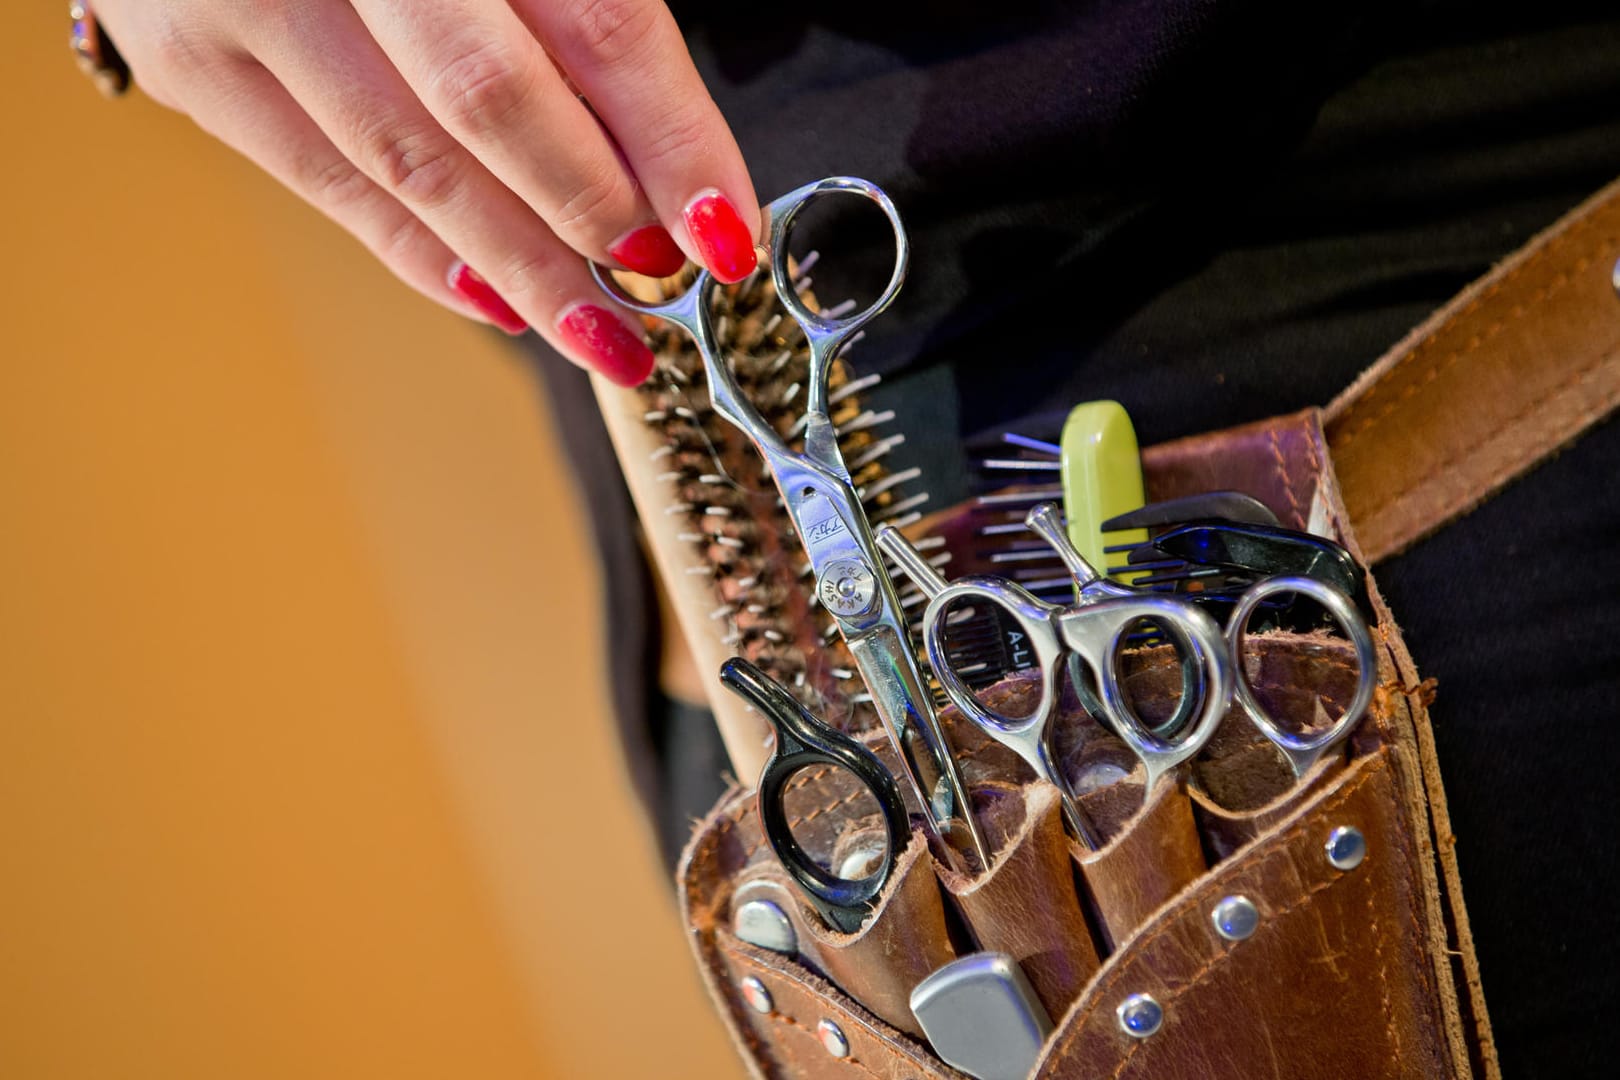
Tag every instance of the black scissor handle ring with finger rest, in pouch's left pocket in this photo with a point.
(804, 742)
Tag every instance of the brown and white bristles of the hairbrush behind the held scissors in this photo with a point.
(731, 514)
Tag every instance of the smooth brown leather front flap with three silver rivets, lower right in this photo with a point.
(1331, 982)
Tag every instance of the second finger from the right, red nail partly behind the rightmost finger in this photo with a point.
(488, 82)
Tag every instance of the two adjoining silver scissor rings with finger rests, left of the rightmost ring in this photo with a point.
(1091, 632)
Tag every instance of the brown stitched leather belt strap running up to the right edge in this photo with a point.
(1506, 375)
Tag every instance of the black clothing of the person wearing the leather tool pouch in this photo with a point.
(1216, 213)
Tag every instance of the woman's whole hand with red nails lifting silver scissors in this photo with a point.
(441, 132)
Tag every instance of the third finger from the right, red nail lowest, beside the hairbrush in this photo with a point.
(341, 79)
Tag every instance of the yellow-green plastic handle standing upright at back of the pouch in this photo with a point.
(1102, 478)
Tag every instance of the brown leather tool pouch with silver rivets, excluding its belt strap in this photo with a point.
(1362, 972)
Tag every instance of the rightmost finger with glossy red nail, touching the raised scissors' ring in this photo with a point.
(631, 62)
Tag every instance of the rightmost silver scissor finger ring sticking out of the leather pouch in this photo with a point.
(1305, 750)
